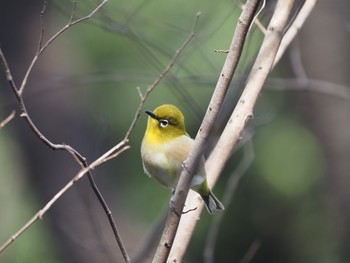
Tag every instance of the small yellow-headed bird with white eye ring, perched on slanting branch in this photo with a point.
(165, 146)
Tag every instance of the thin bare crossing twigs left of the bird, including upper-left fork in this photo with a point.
(112, 153)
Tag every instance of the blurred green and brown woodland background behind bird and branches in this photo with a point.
(291, 205)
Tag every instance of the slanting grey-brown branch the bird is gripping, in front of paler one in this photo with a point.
(182, 188)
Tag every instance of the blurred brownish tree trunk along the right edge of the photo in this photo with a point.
(324, 43)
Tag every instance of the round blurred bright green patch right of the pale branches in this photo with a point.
(289, 157)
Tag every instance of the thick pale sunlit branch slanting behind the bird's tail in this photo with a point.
(242, 113)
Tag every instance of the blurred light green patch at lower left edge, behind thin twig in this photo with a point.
(18, 203)
